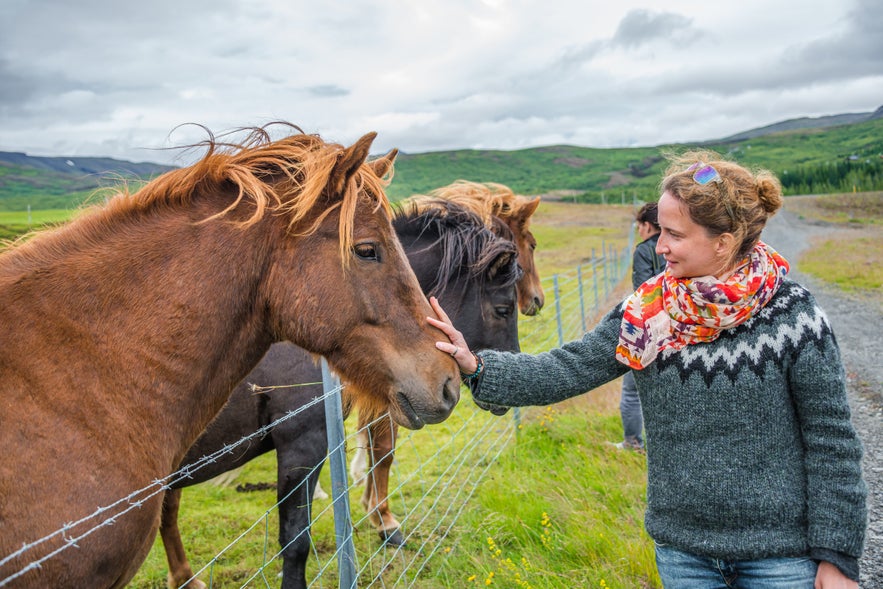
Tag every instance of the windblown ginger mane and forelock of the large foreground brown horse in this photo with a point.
(283, 177)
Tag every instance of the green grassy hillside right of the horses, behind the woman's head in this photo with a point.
(598, 175)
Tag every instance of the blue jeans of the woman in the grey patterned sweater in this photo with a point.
(682, 570)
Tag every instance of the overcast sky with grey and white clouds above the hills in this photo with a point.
(119, 79)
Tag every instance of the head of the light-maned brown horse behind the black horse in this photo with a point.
(489, 200)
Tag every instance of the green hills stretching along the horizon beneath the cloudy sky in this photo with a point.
(808, 160)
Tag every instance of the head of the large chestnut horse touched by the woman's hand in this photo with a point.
(364, 310)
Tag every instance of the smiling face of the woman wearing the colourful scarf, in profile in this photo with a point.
(687, 247)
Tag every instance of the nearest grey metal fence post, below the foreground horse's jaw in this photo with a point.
(343, 526)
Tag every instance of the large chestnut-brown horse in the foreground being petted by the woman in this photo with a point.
(125, 331)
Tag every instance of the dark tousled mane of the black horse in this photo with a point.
(460, 235)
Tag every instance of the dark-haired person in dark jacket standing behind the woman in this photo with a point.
(646, 264)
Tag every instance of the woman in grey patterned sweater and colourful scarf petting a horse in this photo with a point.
(754, 476)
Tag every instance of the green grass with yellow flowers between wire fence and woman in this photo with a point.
(561, 509)
